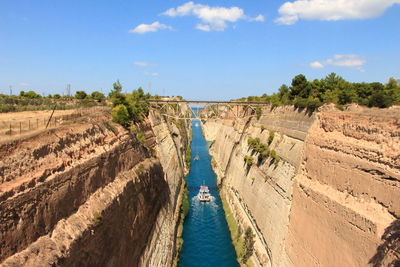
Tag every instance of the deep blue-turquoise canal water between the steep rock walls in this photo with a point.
(207, 241)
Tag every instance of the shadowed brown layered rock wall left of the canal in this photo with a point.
(92, 194)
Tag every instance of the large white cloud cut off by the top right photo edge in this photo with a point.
(331, 10)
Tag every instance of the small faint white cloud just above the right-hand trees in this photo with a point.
(348, 61)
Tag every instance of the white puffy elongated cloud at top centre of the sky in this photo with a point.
(212, 18)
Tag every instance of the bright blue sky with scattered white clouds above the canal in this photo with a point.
(201, 50)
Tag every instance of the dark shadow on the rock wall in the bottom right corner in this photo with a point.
(387, 254)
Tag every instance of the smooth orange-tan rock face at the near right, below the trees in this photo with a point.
(347, 192)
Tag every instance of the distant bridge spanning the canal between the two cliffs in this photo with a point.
(209, 109)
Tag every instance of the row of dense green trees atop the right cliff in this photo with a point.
(333, 89)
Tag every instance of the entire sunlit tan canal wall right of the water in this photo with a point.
(329, 197)
